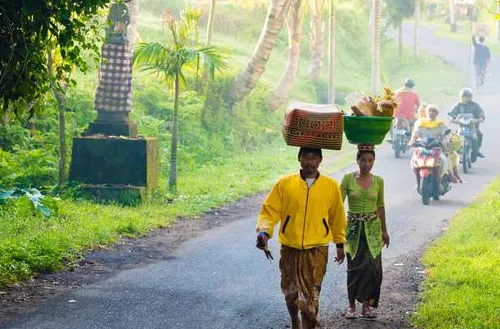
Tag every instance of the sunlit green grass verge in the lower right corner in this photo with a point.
(462, 289)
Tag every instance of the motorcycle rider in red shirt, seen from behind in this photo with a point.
(408, 103)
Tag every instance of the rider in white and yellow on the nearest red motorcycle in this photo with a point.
(430, 127)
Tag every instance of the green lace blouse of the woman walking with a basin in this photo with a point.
(363, 201)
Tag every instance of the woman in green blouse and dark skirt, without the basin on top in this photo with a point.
(366, 233)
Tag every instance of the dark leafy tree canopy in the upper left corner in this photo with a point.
(28, 29)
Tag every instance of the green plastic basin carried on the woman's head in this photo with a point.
(366, 129)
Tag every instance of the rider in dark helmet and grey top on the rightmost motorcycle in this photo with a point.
(467, 106)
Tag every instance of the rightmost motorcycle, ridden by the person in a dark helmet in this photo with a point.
(467, 130)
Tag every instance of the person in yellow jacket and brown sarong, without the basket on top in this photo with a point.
(310, 210)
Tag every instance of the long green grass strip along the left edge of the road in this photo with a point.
(31, 243)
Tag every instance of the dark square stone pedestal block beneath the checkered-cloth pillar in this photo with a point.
(108, 165)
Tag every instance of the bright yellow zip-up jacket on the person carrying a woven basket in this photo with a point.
(309, 217)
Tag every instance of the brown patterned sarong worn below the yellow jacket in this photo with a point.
(302, 273)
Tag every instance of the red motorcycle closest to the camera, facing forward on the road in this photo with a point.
(426, 165)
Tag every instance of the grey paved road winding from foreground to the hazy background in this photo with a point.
(219, 280)
